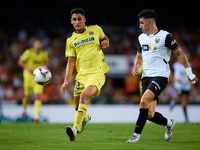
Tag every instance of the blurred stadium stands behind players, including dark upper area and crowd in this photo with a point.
(24, 21)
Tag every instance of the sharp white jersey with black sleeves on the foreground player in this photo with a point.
(156, 51)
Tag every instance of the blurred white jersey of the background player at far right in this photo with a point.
(180, 76)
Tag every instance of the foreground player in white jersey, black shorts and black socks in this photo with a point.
(154, 50)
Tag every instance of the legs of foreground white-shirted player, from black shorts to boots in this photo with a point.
(148, 105)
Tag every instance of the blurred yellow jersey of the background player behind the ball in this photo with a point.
(33, 60)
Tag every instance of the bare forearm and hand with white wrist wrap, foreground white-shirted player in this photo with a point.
(183, 60)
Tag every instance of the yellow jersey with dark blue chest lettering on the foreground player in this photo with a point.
(86, 48)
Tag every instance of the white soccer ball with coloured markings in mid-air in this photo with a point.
(42, 75)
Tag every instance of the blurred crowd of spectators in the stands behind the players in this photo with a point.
(123, 41)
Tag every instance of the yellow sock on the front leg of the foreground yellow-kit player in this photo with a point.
(81, 114)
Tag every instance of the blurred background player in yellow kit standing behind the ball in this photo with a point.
(29, 61)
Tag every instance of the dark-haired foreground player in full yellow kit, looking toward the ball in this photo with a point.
(84, 50)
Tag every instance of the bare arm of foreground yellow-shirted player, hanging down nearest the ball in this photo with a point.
(69, 70)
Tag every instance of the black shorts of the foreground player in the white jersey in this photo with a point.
(155, 84)
